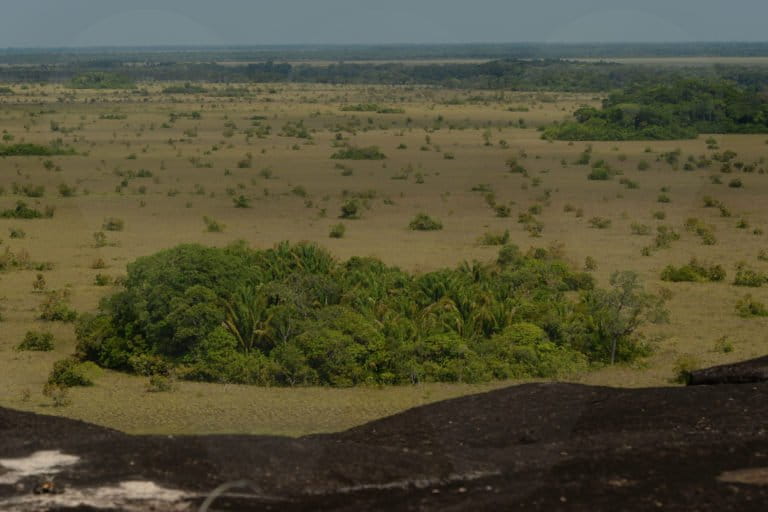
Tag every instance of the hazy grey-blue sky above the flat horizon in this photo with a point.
(25, 23)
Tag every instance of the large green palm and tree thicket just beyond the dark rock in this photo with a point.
(293, 315)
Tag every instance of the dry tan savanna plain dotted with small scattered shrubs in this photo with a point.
(151, 167)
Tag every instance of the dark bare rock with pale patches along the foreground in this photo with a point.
(531, 447)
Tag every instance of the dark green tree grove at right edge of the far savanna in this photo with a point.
(677, 110)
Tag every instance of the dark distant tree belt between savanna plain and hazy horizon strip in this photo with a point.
(517, 74)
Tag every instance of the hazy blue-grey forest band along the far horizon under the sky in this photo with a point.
(397, 52)
